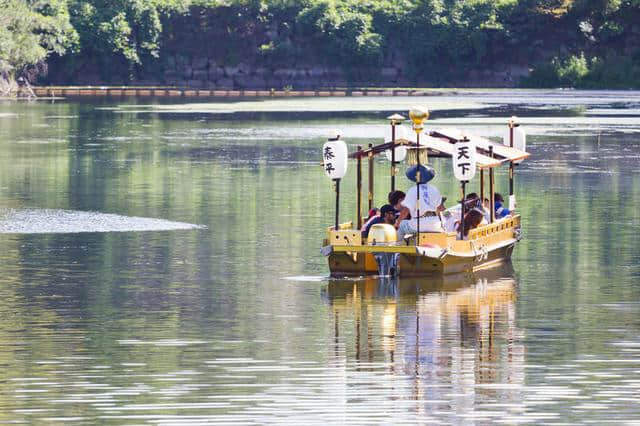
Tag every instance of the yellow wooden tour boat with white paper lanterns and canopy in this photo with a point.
(382, 253)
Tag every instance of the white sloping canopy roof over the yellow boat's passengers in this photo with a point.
(441, 143)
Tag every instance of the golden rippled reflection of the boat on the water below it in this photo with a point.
(462, 324)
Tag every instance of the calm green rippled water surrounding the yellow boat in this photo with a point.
(160, 264)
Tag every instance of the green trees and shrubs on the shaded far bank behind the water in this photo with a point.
(535, 43)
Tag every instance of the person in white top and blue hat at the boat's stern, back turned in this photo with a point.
(425, 207)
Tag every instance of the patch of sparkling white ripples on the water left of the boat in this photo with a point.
(49, 221)
